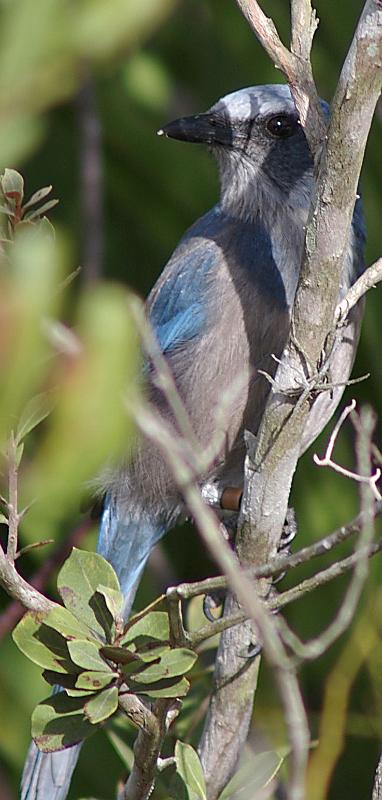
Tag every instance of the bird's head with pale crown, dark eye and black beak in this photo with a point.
(259, 143)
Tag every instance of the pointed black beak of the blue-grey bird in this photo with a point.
(206, 128)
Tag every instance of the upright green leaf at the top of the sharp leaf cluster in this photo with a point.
(77, 584)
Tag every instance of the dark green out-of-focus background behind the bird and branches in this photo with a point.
(83, 89)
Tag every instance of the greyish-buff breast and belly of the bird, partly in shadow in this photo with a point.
(246, 323)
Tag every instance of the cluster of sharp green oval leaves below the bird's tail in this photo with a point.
(91, 657)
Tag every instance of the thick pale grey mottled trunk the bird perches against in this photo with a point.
(272, 461)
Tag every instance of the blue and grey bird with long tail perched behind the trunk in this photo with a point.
(220, 312)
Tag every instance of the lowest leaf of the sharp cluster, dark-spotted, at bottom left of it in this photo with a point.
(59, 722)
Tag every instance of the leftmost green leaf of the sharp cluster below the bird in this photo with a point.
(42, 644)
